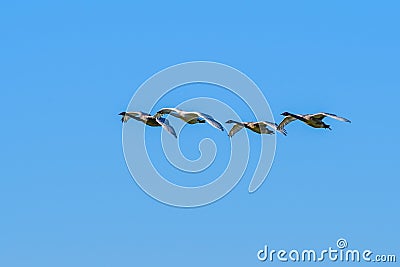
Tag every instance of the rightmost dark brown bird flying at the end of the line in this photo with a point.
(313, 120)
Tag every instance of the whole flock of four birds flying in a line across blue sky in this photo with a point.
(260, 127)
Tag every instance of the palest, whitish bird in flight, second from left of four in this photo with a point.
(191, 117)
